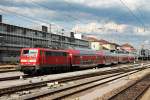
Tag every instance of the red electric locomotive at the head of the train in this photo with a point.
(39, 60)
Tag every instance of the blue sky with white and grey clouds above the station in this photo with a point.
(119, 21)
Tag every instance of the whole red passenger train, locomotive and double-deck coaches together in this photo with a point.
(42, 60)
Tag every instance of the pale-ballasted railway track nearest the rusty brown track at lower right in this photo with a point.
(80, 85)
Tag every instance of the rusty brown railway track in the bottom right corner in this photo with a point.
(135, 91)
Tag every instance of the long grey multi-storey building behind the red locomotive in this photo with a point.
(13, 38)
